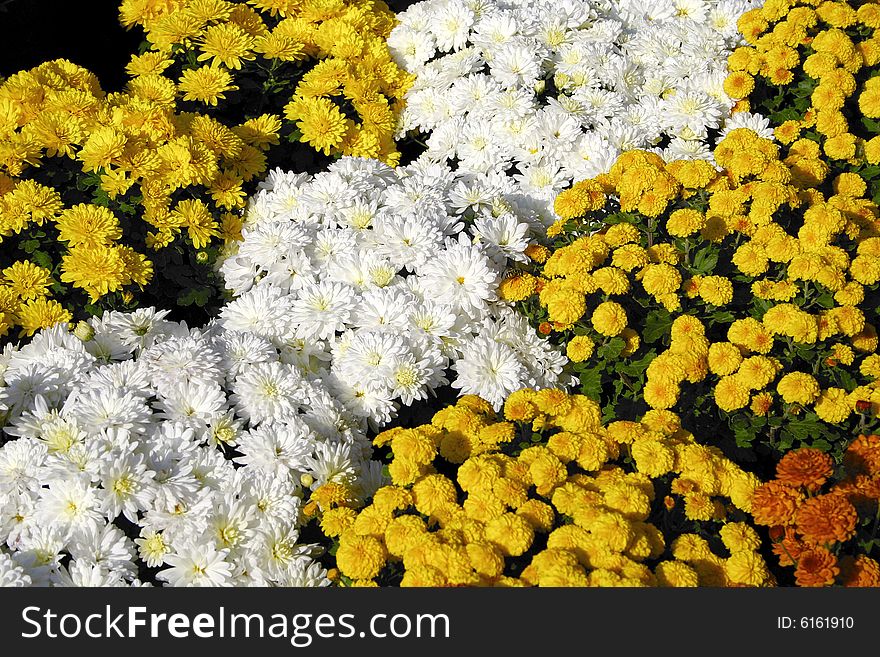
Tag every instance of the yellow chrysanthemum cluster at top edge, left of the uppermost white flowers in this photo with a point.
(345, 104)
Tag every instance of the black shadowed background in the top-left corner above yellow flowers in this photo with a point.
(87, 32)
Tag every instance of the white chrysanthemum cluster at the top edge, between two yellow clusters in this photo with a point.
(553, 91)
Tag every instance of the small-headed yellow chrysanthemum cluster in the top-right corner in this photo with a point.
(843, 46)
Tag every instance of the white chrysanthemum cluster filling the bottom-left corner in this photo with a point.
(196, 443)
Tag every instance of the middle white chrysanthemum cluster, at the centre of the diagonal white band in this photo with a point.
(380, 282)
